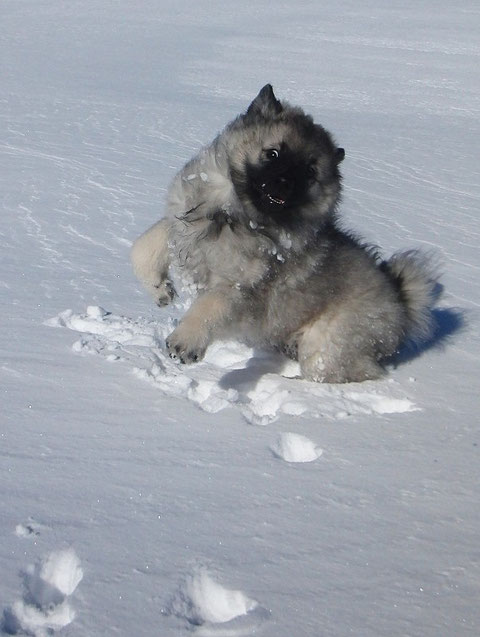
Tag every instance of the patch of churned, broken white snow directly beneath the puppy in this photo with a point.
(262, 385)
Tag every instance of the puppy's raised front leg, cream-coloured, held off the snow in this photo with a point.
(150, 262)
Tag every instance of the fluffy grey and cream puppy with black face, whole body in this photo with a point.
(252, 223)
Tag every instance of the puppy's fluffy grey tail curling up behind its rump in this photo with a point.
(416, 275)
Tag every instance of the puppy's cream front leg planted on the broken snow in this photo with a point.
(206, 317)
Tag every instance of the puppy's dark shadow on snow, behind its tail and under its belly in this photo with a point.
(447, 322)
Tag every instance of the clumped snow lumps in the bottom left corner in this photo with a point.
(45, 606)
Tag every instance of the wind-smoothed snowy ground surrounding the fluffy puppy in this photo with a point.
(141, 498)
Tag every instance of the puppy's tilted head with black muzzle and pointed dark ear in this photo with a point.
(281, 163)
